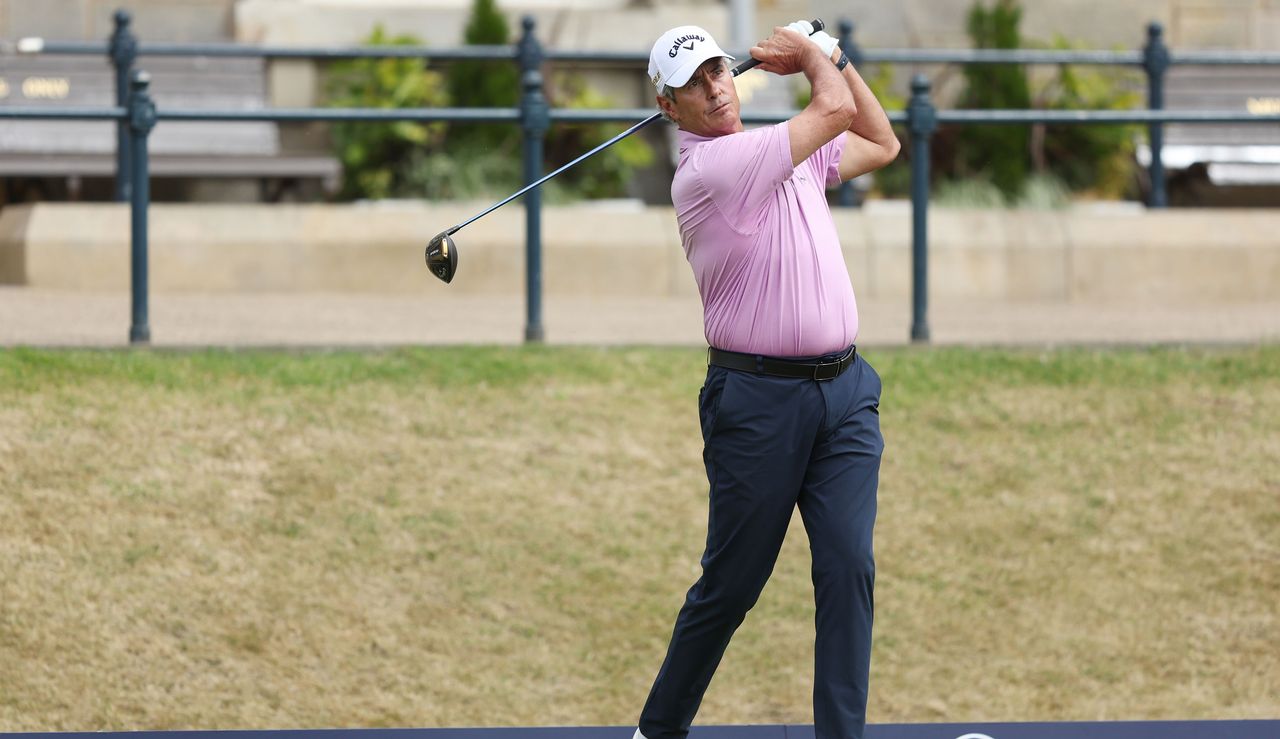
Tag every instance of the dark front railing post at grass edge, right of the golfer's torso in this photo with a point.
(922, 122)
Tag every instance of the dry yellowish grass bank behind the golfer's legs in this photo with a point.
(502, 537)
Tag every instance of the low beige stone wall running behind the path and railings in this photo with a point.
(1116, 256)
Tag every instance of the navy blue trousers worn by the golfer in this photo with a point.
(770, 446)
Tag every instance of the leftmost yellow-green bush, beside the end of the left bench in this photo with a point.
(377, 157)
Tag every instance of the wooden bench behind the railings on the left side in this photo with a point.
(86, 149)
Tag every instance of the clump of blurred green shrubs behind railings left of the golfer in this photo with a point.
(460, 161)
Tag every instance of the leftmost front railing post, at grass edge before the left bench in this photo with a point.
(143, 120)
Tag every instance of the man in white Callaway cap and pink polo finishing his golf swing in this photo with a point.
(790, 410)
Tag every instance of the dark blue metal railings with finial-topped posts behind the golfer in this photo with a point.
(136, 115)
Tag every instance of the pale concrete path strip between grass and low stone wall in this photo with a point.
(35, 317)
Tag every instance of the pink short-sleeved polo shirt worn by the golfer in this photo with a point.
(764, 247)
